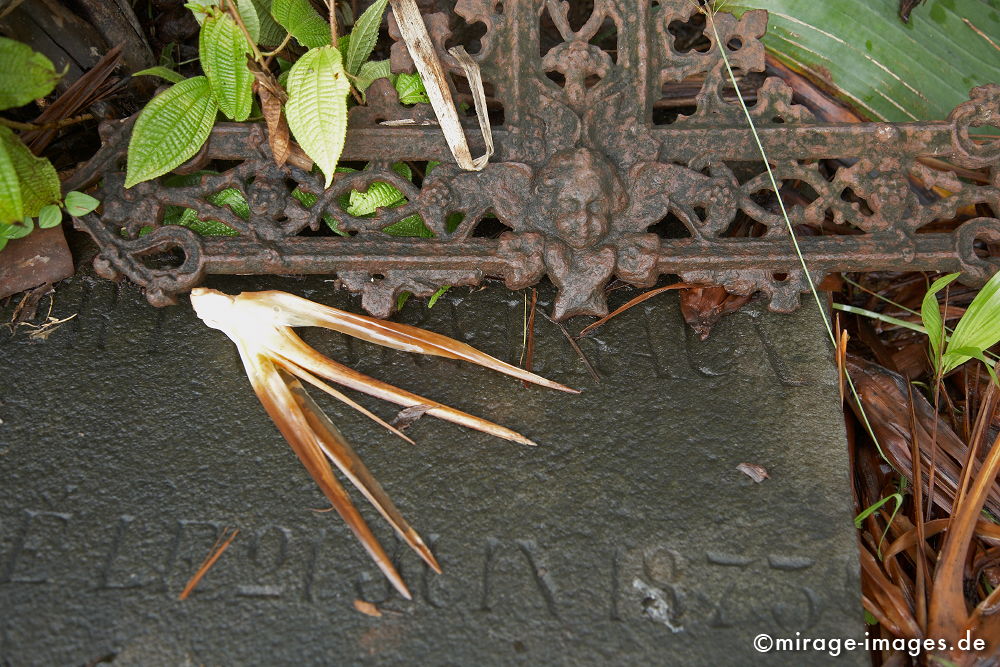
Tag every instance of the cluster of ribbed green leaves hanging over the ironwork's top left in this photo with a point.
(313, 92)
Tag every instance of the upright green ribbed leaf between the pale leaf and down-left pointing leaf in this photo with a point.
(224, 50)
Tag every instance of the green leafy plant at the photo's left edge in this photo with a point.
(29, 186)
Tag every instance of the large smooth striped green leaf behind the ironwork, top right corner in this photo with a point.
(884, 68)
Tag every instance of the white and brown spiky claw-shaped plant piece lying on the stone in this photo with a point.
(277, 360)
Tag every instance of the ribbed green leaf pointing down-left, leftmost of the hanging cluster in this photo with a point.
(170, 130)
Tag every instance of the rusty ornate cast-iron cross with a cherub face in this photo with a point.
(583, 175)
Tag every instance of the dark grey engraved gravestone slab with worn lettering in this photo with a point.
(130, 437)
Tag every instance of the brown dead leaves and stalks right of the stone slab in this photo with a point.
(925, 481)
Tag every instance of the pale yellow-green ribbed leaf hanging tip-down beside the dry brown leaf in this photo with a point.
(317, 106)
